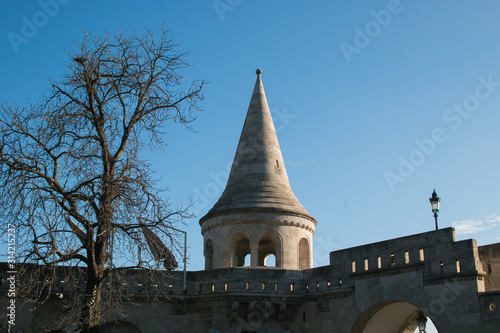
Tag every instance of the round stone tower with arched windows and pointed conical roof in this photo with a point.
(258, 214)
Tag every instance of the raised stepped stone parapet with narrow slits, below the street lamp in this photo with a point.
(436, 253)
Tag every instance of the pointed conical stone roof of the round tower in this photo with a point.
(258, 181)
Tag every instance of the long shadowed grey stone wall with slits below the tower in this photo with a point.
(378, 287)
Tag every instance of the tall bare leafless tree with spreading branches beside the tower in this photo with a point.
(74, 178)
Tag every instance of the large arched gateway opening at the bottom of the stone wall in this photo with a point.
(391, 317)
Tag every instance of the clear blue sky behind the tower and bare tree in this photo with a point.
(375, 103)
